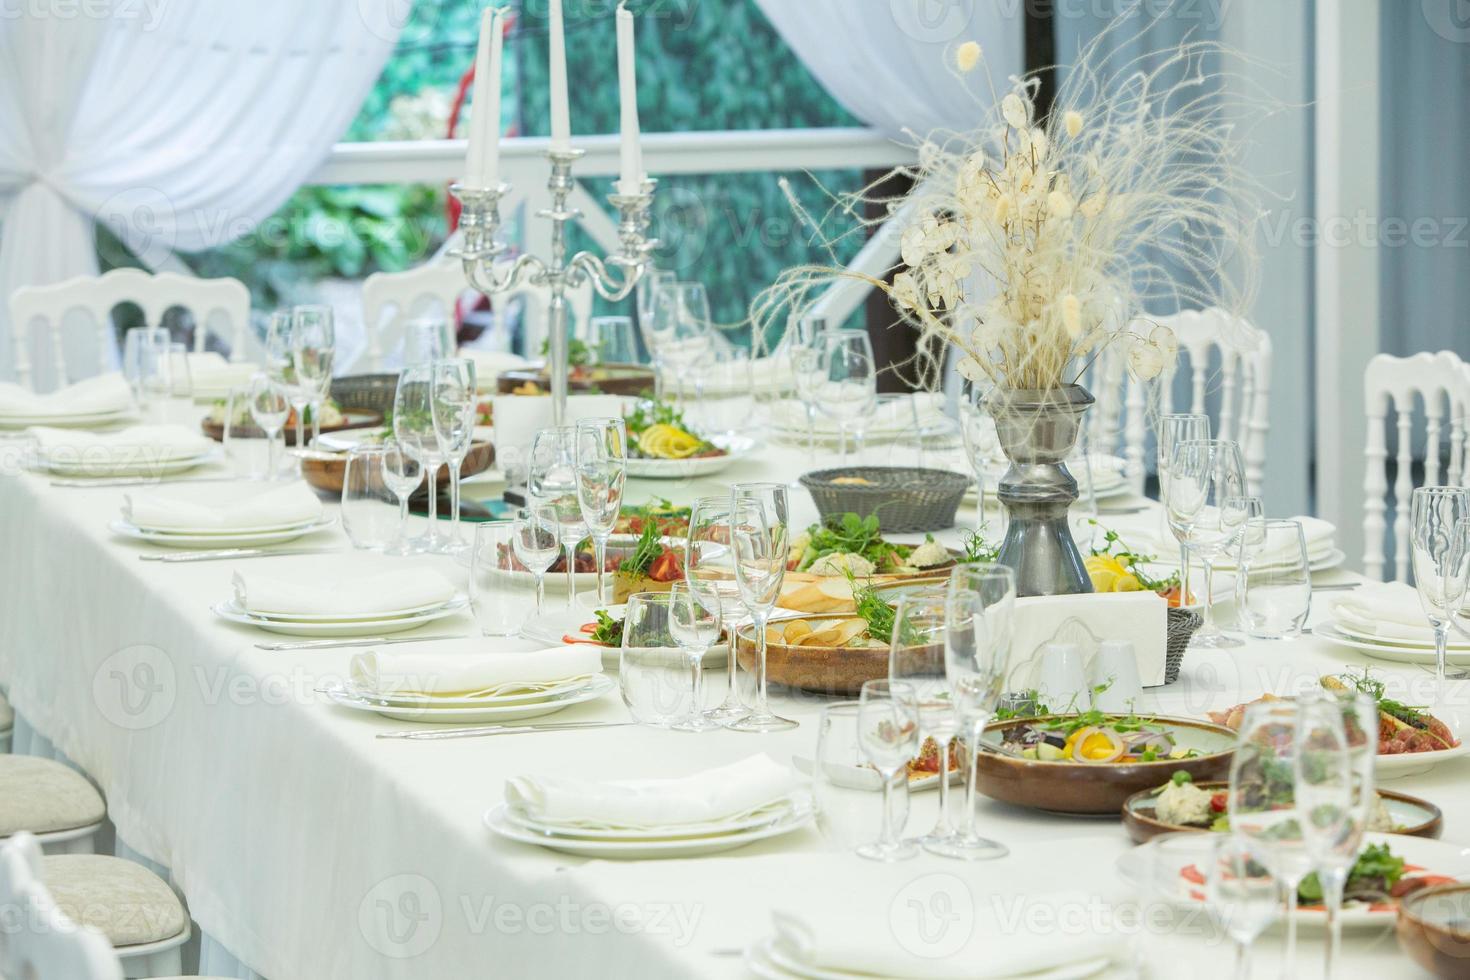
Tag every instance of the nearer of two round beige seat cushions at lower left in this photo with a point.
(127, 903)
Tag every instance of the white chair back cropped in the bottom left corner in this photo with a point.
(39, 941)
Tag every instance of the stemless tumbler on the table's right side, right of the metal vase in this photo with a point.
(1274, 584)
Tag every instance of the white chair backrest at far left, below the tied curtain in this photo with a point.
(99, 296)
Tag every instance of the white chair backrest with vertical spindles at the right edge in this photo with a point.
(1441, 386)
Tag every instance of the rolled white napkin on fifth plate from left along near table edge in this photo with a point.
(467, 671)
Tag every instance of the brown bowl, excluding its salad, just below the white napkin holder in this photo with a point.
(1097, 788)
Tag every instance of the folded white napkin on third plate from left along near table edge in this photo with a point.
(223, 508)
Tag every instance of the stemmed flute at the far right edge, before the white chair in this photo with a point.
(1441, 562)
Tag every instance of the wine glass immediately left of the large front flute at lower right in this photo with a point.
(1263, 806)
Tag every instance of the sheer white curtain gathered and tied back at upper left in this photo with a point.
(179, 126)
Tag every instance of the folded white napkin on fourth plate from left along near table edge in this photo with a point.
(321, 586)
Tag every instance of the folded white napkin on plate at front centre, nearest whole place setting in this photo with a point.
(715, 794)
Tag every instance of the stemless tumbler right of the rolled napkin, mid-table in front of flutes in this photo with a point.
(653, 669)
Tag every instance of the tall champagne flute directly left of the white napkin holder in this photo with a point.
(978, 624)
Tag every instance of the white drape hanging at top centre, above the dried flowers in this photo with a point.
(890, 62)
